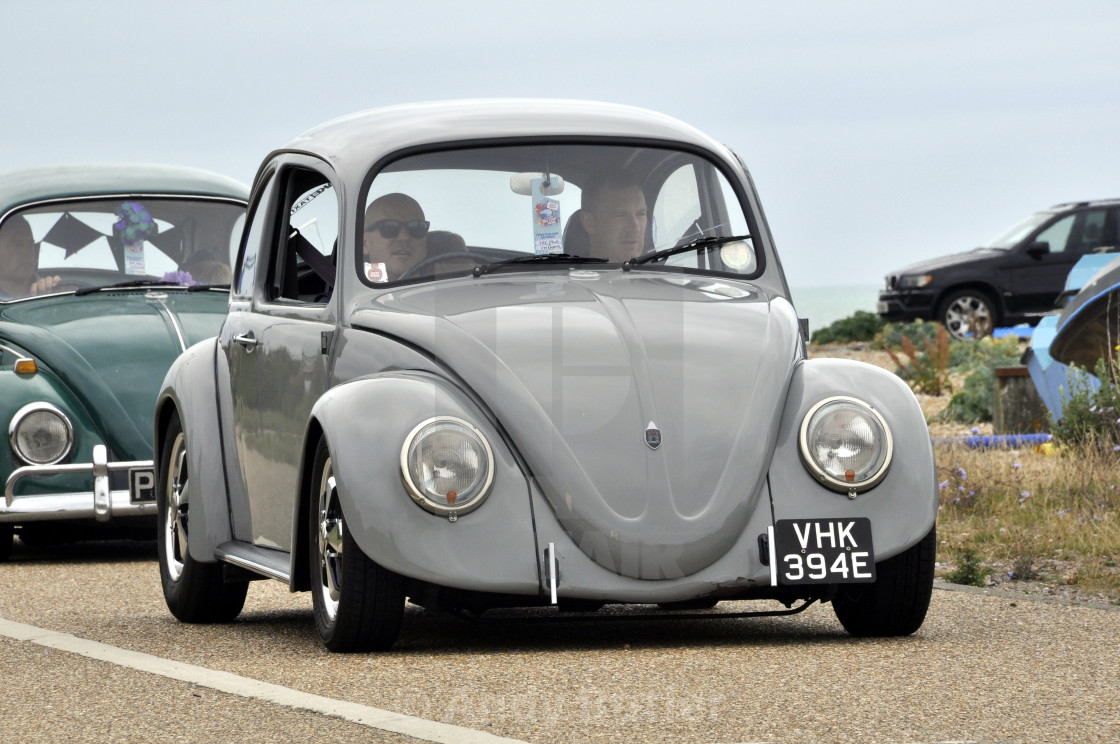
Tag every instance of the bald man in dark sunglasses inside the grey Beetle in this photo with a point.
(396, 237)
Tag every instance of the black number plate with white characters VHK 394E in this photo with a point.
(824, 552)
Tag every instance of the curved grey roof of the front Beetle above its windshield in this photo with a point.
(356, 142)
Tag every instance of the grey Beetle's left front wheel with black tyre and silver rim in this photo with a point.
(359, 606)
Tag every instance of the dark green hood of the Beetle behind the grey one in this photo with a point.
(111, 350)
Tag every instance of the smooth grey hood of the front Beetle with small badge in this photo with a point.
(578, 367)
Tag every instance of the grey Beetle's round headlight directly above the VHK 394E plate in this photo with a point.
(846, 444)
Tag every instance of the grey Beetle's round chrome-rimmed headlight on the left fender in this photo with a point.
(447, 466)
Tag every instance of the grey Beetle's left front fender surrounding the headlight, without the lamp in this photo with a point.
(366, 422)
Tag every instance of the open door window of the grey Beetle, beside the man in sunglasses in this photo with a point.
(304, 249)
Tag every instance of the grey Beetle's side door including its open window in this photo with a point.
(277, 350)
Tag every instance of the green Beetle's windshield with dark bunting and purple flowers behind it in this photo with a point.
(85, 245)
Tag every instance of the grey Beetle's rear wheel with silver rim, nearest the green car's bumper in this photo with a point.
(195, 592)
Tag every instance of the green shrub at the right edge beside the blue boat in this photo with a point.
(1090, 417)
